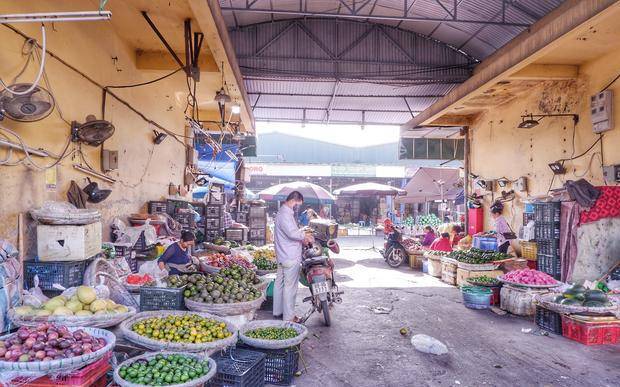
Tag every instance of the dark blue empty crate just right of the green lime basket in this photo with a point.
(239, 368)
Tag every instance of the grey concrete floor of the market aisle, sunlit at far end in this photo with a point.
(363, 348)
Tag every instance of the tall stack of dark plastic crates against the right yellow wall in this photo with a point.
(547, 230)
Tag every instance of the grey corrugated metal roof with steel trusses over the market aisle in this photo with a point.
(293, 60)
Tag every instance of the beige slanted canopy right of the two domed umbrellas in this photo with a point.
(430, 183)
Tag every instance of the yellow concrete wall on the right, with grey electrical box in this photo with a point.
(500, 149)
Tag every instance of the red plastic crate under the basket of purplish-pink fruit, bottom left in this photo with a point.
(93, 375)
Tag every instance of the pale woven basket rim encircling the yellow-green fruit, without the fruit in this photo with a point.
(158, 345)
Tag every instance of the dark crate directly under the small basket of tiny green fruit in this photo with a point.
(280, 364)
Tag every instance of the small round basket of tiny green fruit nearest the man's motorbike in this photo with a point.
(272, 334)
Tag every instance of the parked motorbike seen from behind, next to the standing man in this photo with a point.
(317, 270)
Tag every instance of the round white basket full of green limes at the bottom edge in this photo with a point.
(173, 369)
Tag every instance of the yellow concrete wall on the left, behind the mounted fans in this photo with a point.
(144, 171)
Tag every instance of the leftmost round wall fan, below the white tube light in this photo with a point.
(30, 107)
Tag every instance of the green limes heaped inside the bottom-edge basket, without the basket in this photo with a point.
(164, 370)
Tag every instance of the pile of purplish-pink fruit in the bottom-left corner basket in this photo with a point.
(47, 342)
